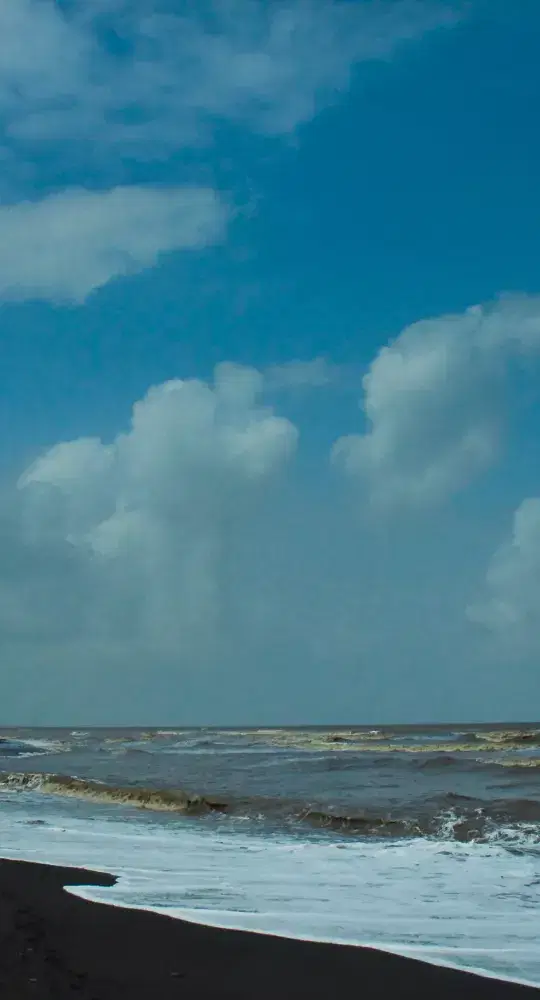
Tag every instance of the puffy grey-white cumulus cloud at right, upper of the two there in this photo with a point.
(432, 402)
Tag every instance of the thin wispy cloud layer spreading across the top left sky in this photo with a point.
(147, 75)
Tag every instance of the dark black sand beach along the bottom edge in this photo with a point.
(54, 945)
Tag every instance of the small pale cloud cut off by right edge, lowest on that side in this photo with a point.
(511, 602)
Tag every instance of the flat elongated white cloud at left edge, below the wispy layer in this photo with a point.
(66, 245)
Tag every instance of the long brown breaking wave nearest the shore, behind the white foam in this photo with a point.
(449, 817)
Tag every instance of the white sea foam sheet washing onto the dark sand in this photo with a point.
(472, 906)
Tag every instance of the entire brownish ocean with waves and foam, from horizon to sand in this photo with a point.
(421, 840)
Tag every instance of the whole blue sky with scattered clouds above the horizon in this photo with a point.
(270, 340)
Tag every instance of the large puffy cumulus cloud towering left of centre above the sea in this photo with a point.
(140, 527)
